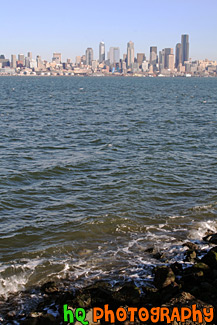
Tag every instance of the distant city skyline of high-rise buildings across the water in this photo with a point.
(162, 63)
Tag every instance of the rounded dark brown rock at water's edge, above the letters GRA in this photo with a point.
(164, 276)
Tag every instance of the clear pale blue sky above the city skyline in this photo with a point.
(69, 26)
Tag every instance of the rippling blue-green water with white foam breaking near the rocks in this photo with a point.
(93, 171)
